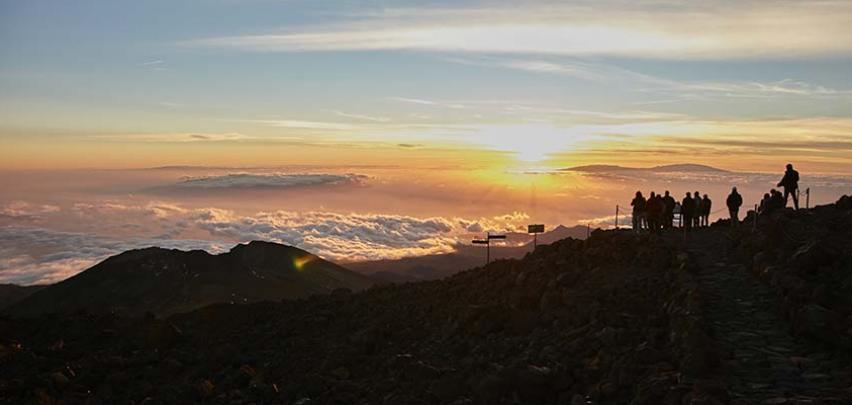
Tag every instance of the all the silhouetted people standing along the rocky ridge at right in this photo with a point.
(658, 211)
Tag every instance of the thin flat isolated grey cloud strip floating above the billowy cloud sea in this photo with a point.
(273, 180)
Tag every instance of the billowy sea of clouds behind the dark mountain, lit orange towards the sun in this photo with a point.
(39, 255)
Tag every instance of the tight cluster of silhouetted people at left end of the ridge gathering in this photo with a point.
(658, 212)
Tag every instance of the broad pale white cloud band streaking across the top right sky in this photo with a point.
(720, 29)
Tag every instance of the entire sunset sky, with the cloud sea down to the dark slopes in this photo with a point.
(456, 111)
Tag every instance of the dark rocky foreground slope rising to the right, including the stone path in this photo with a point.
(722, 316)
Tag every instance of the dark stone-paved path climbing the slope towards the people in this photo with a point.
(762, 361)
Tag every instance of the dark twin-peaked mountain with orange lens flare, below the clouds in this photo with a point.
(167, 281)
